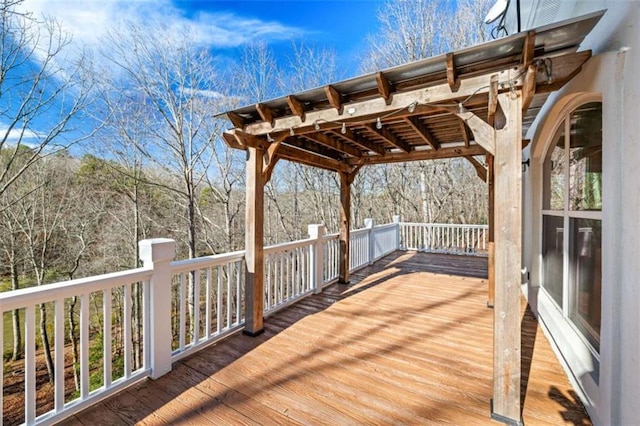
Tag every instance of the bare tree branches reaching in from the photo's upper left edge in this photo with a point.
(44, 90)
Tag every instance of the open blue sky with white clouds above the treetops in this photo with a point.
(227, 26)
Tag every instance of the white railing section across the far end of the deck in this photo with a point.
(444, 238)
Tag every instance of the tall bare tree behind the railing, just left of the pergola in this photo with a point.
(172, 82)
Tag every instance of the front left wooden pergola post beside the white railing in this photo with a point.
(254, 243)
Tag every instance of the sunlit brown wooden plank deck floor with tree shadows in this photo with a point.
(405, 343)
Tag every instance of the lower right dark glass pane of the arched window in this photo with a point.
(586, 277)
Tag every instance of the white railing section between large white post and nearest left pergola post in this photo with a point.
(207, 301)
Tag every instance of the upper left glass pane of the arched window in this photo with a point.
(554, 173)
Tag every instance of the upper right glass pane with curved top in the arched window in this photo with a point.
(585, 144)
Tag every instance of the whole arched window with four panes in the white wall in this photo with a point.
(572, 219)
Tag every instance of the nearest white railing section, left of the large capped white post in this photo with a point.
(103, 307)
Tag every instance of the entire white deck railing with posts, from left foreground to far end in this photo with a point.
(134, 324)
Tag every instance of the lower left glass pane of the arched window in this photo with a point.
(552, 248)
